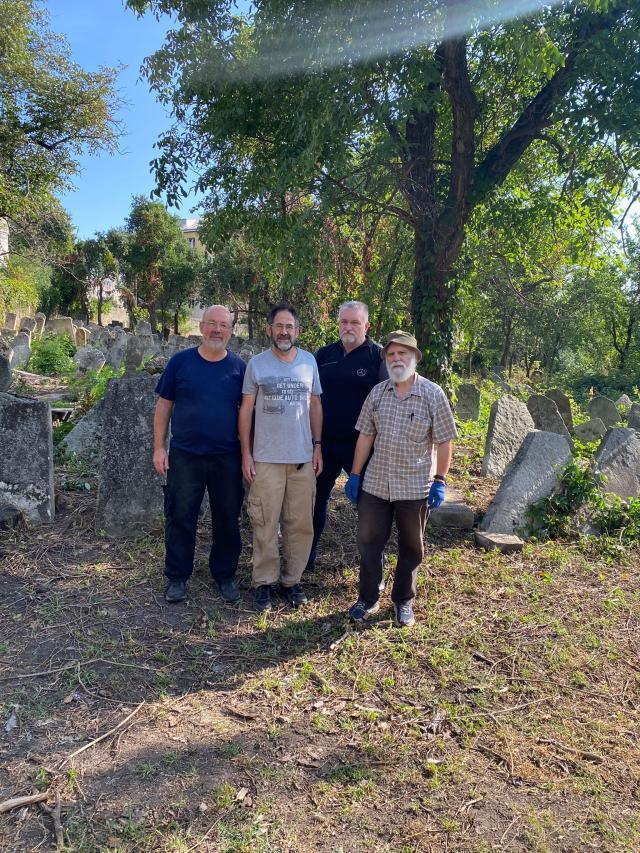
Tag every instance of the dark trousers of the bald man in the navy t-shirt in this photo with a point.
(188, 477)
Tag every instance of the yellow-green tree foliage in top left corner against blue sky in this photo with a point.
(50, 111)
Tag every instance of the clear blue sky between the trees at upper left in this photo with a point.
(103, 32)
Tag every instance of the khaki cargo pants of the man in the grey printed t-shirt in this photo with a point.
(281, 494)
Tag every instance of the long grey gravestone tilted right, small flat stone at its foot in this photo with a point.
(531, 475)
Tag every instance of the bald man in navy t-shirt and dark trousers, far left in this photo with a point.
(199, 392)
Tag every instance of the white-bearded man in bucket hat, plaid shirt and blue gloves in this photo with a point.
(408, 424)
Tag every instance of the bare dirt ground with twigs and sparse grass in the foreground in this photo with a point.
(506, 720)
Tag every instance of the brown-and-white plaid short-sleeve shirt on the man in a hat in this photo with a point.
(405, 432)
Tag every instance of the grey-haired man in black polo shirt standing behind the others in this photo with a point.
(348, 369)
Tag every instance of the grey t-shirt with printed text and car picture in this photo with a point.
(283, 392)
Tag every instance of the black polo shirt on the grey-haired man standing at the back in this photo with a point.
(346, 379)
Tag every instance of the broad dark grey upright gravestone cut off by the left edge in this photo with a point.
(26, 457)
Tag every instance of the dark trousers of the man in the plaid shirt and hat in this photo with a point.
(375, 517)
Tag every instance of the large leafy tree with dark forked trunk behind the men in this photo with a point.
(407, 109)
